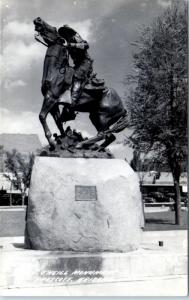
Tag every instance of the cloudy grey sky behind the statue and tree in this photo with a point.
(108, 25)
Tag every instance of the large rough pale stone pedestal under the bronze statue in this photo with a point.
(78, 204)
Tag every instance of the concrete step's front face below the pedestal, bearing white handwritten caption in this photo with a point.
(29, 268)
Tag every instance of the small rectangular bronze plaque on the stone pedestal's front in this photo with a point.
(85, 193)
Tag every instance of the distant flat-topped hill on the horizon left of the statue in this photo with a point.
(24, 143)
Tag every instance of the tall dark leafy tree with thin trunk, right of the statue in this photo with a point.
(158, 99)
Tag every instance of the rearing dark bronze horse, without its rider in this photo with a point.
(105, 107)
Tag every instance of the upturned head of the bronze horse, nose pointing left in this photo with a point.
(46, 31)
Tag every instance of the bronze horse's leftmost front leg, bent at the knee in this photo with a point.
(48, 104)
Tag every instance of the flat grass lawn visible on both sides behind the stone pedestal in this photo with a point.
(12, 223)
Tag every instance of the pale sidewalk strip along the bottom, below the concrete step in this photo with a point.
(164, 286)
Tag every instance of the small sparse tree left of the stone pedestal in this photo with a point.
(19, 170)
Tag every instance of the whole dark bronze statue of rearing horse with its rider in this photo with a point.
(88, 93)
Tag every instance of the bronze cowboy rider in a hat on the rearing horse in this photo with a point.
(77, 48)
